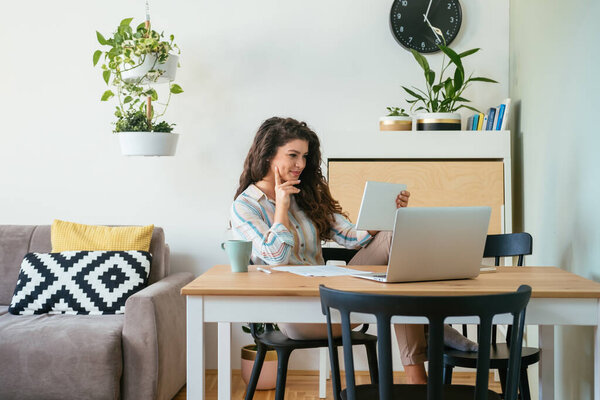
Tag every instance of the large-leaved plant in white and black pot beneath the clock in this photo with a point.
(441, 100)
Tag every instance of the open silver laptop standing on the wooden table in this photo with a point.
(435, 243)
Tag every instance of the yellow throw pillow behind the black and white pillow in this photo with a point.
(69, 236)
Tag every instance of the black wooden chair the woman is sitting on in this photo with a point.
(270, 338)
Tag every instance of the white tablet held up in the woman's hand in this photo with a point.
(378, 206)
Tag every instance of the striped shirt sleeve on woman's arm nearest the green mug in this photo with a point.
(271, 244)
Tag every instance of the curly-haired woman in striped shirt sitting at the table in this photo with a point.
(284, 206)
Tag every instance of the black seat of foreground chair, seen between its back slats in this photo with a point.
(415, 392)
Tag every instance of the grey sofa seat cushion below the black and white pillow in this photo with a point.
(60, 356)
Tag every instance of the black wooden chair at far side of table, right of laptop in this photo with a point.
(505, 245)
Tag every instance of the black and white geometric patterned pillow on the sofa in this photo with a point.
(79, 282)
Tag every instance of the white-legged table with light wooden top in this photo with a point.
(559, 298)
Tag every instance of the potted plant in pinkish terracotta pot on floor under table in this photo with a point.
(267, 379)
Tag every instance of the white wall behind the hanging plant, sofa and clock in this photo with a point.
(332, 63)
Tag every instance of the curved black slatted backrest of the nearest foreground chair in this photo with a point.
(435, 309)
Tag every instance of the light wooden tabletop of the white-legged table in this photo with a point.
(546, 282)
